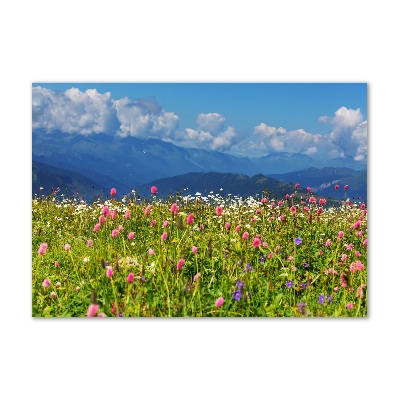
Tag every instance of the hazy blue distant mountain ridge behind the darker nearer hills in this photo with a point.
(124, 163)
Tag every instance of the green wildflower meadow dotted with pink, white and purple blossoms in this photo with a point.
(199, 256)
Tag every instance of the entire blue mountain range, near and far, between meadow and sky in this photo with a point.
(95, 163)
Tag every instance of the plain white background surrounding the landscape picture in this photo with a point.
(188, 41)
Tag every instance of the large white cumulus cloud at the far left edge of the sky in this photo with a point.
(73, 111)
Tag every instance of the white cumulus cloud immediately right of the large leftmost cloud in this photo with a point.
(144, 118)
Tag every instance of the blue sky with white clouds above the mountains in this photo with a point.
(253, 119)
